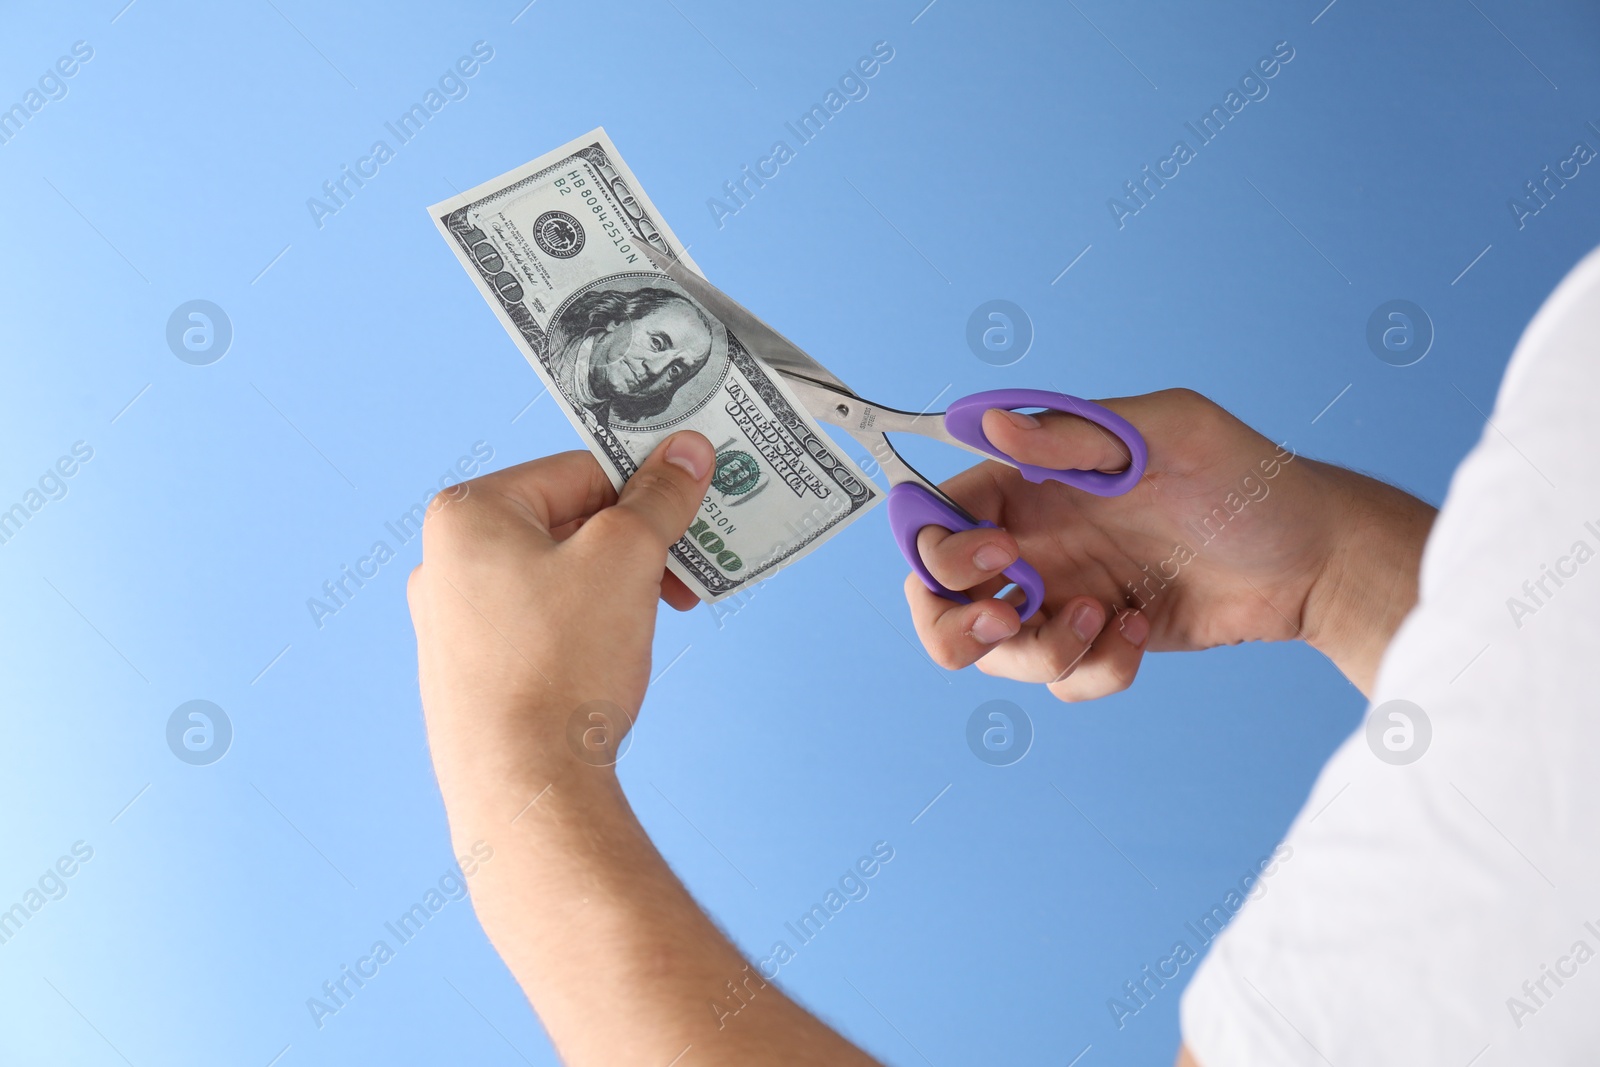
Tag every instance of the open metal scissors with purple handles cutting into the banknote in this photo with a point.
(916, 502)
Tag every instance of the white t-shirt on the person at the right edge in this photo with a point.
(1447, 911)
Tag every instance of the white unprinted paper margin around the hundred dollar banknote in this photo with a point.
(662, 238)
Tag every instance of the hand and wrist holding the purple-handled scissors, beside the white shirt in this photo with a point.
(1228, 538)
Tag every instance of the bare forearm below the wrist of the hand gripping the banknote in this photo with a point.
(615, 956)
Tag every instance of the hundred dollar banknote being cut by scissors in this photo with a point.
(630, 358)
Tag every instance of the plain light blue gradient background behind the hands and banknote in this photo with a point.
(806, 729)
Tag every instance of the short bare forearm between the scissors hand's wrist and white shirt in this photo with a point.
(1370, 578)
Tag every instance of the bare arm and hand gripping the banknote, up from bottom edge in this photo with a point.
(535, 602)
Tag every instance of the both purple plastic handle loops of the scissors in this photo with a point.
(913, 506)
